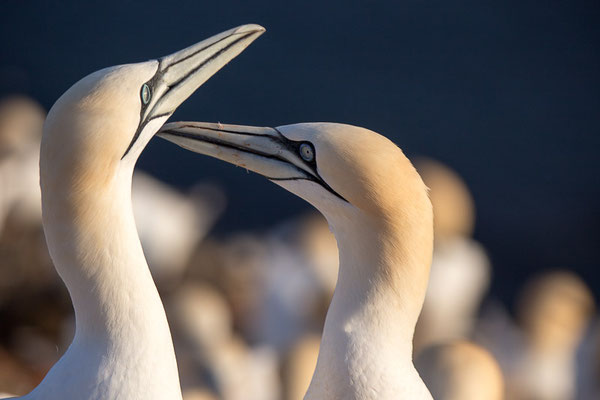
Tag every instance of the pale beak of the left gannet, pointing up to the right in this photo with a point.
(181, 73)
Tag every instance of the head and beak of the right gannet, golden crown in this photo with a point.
(342, 170)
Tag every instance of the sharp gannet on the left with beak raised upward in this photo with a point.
(92, 138)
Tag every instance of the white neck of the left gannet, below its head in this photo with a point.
(122, 347)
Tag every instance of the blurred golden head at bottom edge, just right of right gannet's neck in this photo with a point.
(460, 370)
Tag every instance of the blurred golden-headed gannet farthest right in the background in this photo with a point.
(554, 311)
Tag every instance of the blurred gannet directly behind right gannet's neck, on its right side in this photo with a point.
(460, 269)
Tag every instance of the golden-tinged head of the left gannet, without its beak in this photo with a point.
(91, 125)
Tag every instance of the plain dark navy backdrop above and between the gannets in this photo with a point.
(506, 92)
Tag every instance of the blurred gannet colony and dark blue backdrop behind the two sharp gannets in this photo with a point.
(496, 102)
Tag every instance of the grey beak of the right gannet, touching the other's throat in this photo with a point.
(260, 149)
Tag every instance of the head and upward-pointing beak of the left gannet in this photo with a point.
(106, 119)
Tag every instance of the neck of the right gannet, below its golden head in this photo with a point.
(366, 349)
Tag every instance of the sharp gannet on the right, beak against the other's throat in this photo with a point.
(379, 210)
